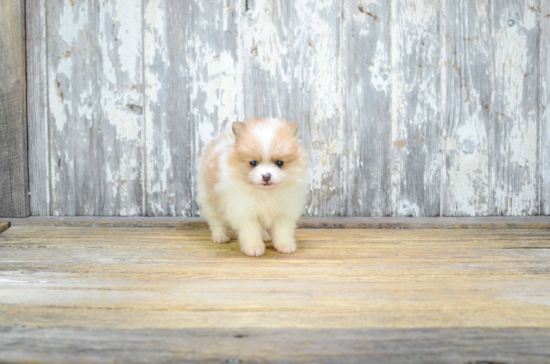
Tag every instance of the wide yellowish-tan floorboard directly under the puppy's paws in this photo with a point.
(338, 279)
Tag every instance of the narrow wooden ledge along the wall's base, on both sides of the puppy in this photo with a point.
(533, 222)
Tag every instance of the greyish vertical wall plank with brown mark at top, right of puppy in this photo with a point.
(367, 131)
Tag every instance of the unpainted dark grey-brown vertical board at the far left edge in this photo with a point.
(14, 188)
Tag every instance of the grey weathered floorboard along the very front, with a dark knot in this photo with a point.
(426, 345)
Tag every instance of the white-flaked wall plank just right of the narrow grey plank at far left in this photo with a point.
(71, 35)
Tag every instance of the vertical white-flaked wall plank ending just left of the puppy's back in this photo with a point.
(168, 142)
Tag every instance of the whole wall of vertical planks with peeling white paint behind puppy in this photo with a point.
(408, 107)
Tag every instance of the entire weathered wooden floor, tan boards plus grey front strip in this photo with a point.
(152, 295)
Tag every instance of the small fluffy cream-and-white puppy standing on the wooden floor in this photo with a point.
(253, 179)
